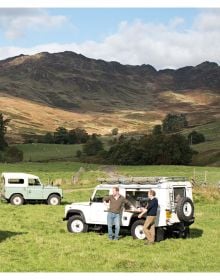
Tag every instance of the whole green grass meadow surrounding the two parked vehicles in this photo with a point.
(34, 238)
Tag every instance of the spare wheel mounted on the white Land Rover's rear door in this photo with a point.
(185, 209)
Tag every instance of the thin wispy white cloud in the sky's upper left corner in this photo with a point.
(16, 22)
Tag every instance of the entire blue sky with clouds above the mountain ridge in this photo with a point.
(162, 37)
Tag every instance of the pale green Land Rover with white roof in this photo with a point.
(17, 188)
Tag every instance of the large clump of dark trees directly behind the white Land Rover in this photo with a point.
(165, 145)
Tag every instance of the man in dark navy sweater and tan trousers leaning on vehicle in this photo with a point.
(149, 225)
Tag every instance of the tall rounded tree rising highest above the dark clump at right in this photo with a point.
(174, 123)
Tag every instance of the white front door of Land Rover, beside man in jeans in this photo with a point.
(98, 210)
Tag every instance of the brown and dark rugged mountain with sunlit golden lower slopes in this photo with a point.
(44, 91)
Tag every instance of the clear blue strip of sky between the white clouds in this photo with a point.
(91, 23)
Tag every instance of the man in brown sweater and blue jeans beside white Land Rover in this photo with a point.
(116, 203)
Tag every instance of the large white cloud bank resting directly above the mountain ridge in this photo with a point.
(147, 43)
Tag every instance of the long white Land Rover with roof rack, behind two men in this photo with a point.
(174, 216)
